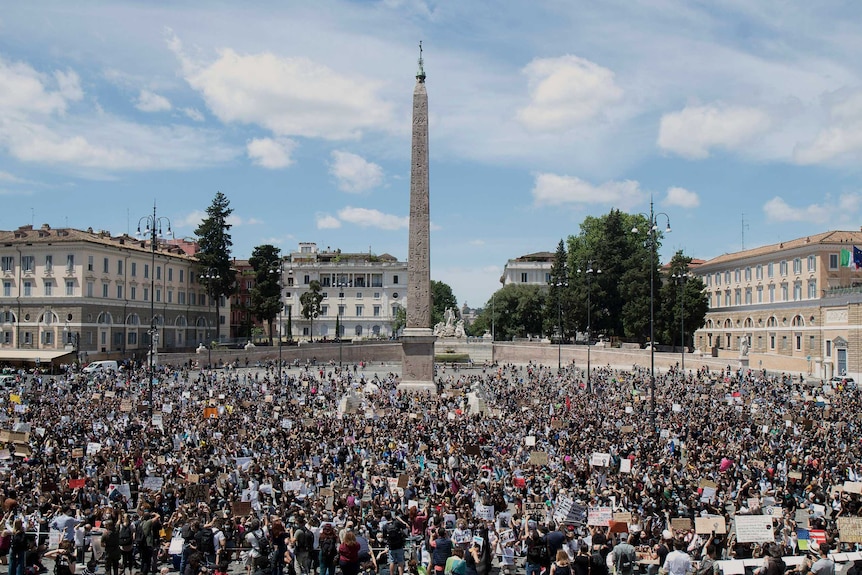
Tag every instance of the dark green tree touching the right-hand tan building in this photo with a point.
(683, 302)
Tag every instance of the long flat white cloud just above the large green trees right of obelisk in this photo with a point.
(556, 190)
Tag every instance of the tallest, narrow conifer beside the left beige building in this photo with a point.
(214, 240)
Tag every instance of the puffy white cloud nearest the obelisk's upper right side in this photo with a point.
(566, 91)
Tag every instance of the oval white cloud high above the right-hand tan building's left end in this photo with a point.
(693, 131)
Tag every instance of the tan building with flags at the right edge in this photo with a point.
(787, 306)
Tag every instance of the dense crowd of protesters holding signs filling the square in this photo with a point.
(510, 467)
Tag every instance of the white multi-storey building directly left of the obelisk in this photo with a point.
(363, 292)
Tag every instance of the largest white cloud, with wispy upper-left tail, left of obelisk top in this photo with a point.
(289, 96)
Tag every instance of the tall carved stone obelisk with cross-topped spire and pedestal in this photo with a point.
(417, 341)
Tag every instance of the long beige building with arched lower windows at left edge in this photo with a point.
(91, 292)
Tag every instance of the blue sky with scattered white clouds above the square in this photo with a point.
(541, 113)
